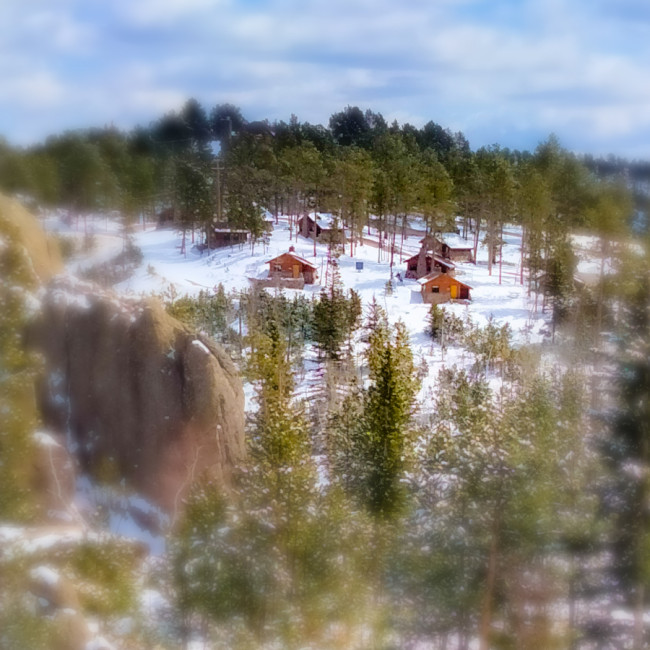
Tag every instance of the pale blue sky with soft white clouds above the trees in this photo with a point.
(501, 71)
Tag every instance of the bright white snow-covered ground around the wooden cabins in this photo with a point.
(499, 296)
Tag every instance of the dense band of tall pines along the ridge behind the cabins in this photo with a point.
(196, 167)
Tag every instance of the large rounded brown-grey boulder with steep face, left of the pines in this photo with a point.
(139, 394)
